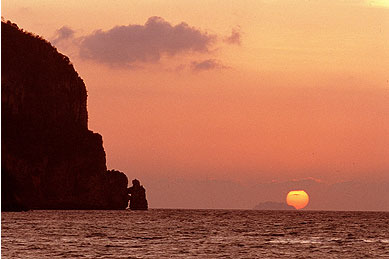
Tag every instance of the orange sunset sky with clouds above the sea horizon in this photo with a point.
(225, 104)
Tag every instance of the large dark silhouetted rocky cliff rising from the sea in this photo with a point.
(50, 160)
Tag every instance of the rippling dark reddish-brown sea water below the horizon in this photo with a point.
(160, 233)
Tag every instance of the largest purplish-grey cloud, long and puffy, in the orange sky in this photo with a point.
(125, 45)
